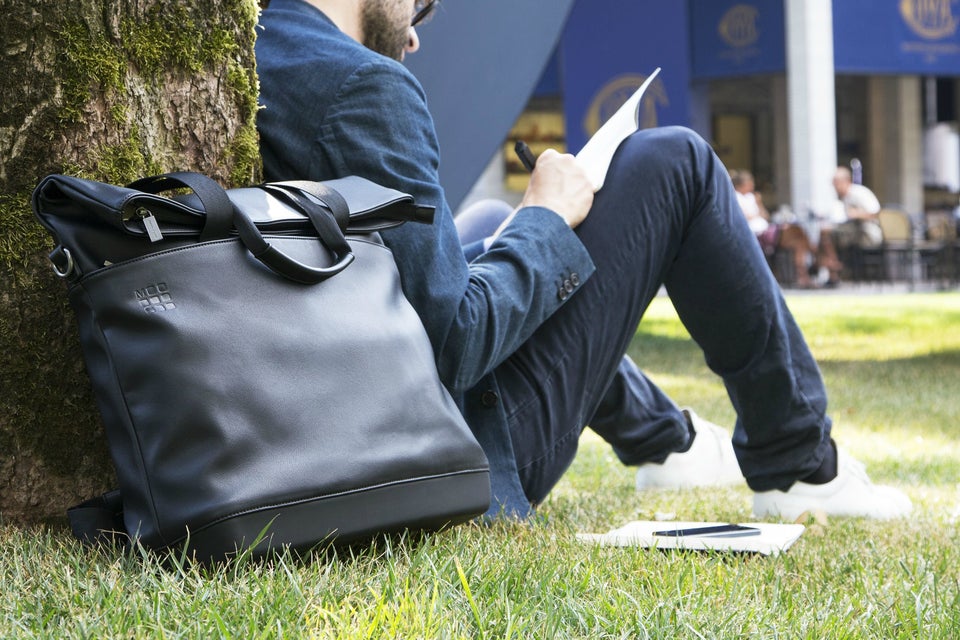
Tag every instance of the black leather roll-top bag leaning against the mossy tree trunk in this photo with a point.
(256, 365)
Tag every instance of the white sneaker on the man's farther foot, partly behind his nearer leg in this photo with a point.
(709, 462)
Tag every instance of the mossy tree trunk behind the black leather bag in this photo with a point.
(111, 91)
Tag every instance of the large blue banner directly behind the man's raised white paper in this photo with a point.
(608, 49)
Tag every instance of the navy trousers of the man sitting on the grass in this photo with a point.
(667, 215)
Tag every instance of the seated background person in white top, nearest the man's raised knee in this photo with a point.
(776, 236)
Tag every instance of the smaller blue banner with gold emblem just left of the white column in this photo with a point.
(737, 38)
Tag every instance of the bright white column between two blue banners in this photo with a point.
(812, 104)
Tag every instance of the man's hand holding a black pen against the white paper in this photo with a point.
(559, 184)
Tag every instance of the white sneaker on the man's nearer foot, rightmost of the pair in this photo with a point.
(849, 494)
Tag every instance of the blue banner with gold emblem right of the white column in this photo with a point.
(897, 36)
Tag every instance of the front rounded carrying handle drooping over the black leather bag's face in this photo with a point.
(330, 235)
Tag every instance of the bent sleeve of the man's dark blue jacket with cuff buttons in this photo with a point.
(475, 314)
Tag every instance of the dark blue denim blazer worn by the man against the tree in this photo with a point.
(330, 107)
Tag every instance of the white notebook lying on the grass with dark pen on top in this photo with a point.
(773, 539)
